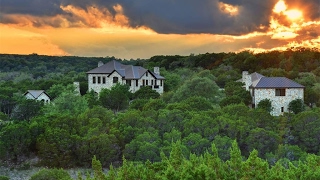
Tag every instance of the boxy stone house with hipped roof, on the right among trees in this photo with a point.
(279, 90)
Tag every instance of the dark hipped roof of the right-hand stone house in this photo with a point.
(277, 82)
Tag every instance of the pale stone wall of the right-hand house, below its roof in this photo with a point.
(278, 102)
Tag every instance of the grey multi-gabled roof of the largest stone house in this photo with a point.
(126, 71)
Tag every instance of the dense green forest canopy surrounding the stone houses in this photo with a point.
(202, 107)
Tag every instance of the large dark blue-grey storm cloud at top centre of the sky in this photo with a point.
(190, 16)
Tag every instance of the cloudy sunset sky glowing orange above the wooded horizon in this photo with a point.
(144, 28)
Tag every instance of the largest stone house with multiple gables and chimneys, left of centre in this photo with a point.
(107, 75)
